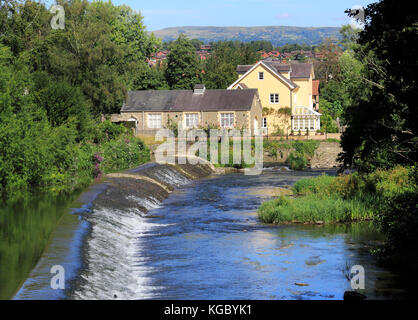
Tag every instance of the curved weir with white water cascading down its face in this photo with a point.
(119, 225)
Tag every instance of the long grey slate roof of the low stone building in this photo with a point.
(187, 100)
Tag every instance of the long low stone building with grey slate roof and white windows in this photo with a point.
(150, 110)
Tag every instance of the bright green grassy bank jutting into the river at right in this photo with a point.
(349, 198)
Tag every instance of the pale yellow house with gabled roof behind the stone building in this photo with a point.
(285, 91)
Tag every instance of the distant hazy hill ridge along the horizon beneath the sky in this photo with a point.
(277, 35)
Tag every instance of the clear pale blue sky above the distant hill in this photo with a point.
(302, 13)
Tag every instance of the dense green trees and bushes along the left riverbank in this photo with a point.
(53, 85)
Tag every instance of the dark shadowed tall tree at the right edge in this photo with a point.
(382, 128)
